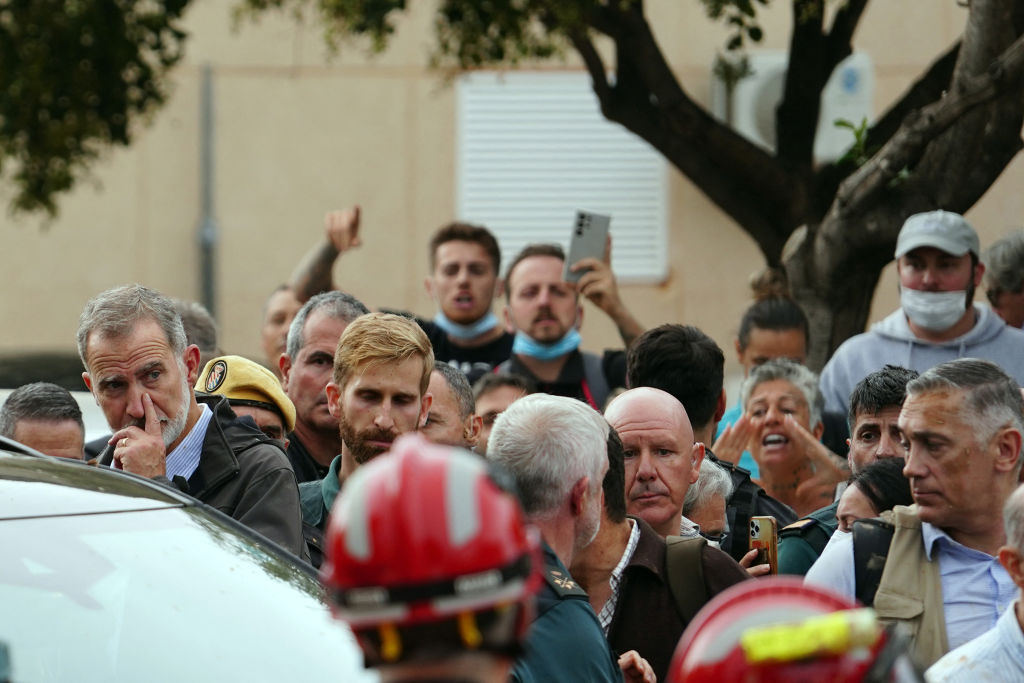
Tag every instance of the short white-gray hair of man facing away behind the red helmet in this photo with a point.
(548, 444)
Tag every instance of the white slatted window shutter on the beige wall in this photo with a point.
(533, 149)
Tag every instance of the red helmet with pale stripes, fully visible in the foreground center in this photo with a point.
(426, 554)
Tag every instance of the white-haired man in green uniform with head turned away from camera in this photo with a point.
(556, 449)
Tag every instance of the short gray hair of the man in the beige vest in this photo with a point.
(993, 399)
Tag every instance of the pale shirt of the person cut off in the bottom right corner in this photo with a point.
(995, 656)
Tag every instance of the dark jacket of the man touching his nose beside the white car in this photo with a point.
(243, 474)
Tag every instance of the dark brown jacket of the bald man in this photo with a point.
(647, 619)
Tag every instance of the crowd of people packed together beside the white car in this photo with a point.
(547, 514)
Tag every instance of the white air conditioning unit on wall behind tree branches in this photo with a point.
(848, 96)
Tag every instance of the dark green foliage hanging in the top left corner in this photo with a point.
(74, 75)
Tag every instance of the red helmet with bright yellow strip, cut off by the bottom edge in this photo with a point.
(778, 629)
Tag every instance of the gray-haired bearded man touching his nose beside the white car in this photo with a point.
(141, 371)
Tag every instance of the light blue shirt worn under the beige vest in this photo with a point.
(976, 590)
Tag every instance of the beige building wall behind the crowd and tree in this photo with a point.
(298, 133)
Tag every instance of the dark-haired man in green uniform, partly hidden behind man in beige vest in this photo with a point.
(875, 407)
